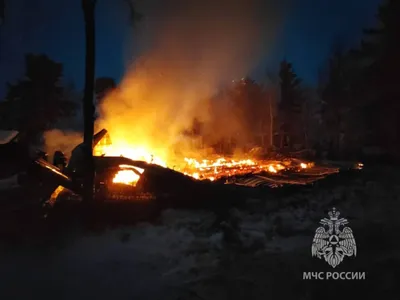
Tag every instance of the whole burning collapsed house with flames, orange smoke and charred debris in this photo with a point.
(166, 131)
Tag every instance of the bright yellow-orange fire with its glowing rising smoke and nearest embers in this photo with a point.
(176, 82)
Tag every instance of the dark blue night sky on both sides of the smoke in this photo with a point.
(56, 28)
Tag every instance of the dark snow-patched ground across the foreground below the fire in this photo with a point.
(182, 257)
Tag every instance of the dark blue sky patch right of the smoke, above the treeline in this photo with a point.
(312, 27)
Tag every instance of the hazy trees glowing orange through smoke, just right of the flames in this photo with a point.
(239, 116)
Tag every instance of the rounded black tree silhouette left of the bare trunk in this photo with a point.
(36, 102)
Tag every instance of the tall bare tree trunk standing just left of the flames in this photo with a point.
(88, 7)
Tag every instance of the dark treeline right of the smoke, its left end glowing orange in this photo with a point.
(353, 112)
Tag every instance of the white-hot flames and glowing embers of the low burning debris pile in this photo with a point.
(248, 171)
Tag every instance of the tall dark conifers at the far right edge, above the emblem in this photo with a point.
(359, 90)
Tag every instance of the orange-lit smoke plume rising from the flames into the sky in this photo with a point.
(185, 51)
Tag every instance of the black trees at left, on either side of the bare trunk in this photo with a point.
(41, 100)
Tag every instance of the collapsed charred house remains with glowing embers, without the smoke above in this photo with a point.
(134, 174)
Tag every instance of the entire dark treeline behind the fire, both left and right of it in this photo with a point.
(352, 112)
